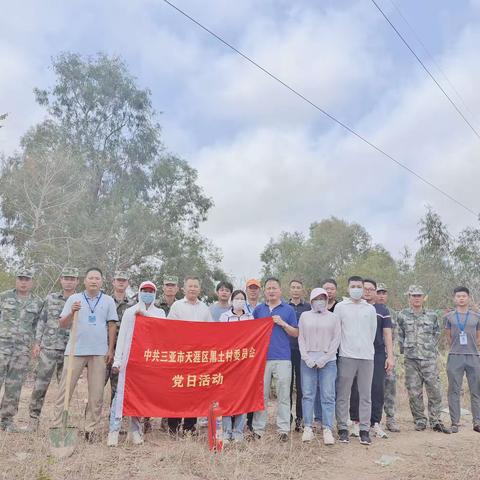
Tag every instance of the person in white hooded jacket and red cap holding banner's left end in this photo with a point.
(145, 306)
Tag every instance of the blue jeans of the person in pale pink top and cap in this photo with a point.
(323, 378)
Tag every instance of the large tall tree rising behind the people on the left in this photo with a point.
(93, 184)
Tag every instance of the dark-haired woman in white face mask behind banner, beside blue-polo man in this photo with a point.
(233, 426)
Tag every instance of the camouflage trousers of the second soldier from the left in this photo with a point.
(49, 361)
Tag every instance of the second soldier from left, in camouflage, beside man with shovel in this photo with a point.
(50, 343)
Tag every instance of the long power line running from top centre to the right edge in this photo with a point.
(324, 112)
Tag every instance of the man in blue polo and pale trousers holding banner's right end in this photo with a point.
(279, 364)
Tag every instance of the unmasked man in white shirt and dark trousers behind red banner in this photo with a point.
(194, 310)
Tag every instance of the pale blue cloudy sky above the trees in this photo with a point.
(269, 161)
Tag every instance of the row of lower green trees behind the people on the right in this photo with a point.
(338, 249)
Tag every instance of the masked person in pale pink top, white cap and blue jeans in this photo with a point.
(318, 340)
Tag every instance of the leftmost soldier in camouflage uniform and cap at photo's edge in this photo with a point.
(19, 314)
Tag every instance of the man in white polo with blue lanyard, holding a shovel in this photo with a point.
(94, 348)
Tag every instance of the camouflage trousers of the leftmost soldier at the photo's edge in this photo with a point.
(13, 368)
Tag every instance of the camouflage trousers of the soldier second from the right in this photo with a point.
(417, 374)
